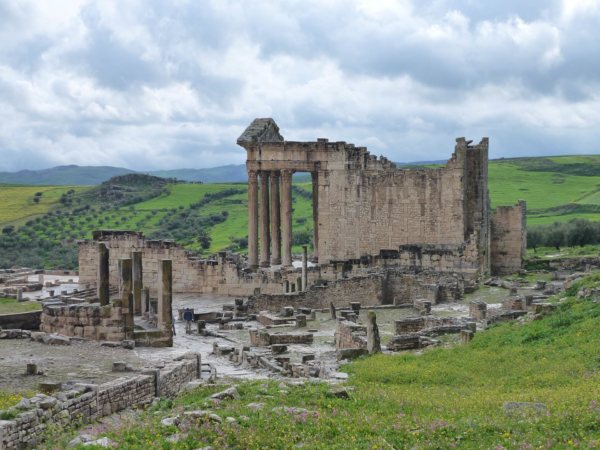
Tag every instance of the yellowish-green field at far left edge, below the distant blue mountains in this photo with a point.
(17, 200)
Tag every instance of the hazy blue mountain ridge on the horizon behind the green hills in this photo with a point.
(93, 175)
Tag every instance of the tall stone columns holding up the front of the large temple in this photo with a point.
(275, 217)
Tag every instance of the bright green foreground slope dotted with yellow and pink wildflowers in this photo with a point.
(444, 398)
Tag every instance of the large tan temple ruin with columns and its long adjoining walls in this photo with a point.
(409, 233)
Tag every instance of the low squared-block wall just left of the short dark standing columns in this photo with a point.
(91, 321)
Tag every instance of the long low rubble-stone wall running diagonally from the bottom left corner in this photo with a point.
(102, 400)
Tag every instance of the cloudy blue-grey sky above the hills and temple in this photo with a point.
(171, 84)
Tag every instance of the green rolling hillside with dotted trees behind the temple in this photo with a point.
(211, 217)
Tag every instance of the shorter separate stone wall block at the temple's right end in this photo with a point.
(509, 238)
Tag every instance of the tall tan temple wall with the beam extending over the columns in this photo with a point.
(366, 204)
